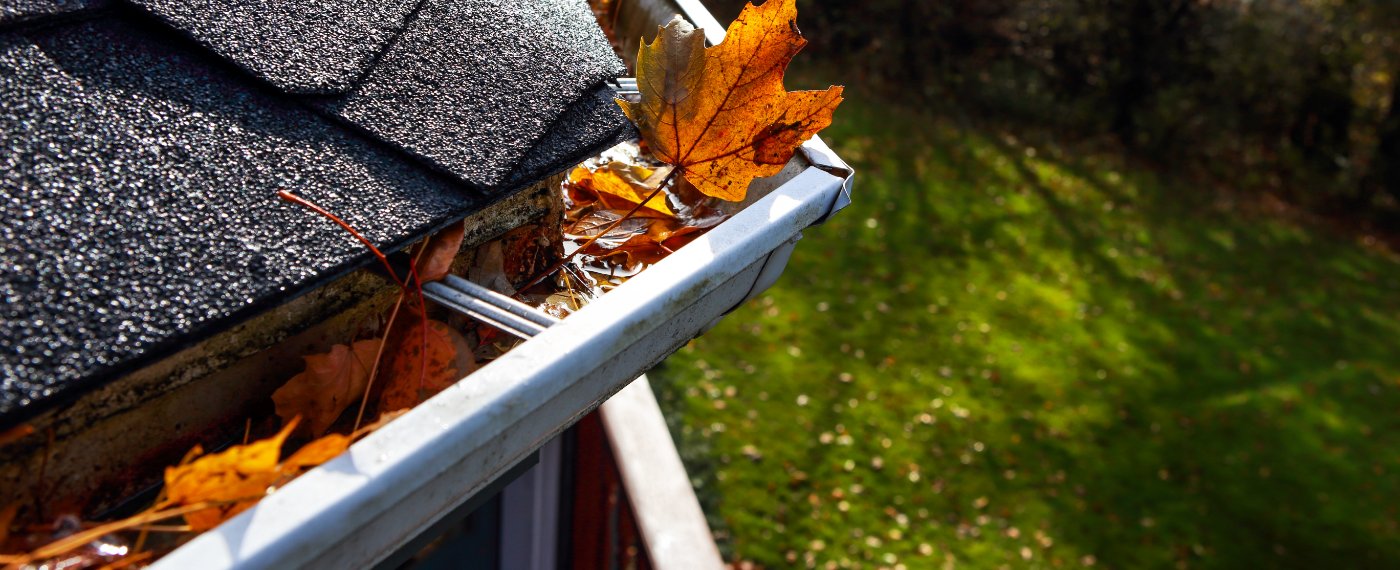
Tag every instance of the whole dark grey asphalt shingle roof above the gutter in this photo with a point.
(139, 163)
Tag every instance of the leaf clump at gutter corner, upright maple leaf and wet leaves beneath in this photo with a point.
(712, 121)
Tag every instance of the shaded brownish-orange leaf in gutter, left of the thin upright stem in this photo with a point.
(331, 383)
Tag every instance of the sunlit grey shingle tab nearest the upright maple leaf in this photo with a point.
(472, 85)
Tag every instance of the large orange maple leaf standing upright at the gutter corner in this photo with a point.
(722, 116)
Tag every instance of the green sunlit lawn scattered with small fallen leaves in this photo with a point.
(1016, 356)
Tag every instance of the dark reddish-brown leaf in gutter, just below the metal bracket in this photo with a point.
(428, 361)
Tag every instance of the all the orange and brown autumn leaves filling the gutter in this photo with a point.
(712, 120)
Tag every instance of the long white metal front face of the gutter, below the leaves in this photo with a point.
(398, 482)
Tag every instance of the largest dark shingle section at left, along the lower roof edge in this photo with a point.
(138, 186)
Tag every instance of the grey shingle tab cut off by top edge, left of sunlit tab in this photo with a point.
(299, 46)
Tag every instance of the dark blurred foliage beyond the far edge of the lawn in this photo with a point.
(1258, 93)
